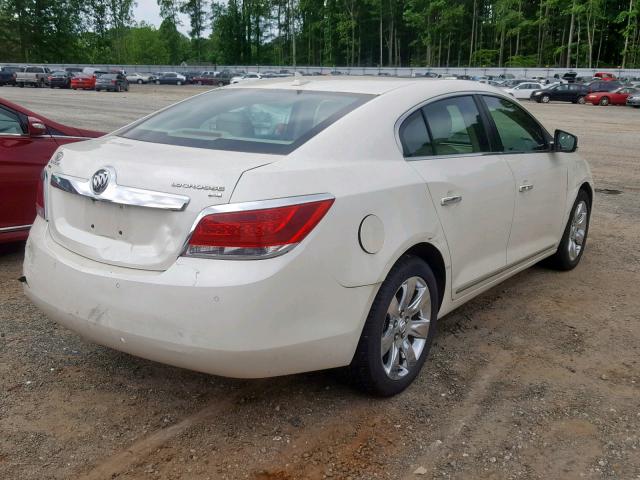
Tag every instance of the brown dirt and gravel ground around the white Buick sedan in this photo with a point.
(538, 378)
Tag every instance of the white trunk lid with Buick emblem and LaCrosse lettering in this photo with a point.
(154, 193)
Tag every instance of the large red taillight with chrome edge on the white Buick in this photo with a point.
(258, 230)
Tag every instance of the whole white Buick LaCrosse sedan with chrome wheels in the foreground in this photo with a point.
(294, 225)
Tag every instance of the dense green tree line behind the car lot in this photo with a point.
(420, 33)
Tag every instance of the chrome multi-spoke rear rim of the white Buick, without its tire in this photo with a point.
(406, 328)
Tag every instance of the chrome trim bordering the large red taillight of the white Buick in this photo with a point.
(246, 206)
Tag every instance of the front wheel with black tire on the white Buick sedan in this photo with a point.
(574, 239)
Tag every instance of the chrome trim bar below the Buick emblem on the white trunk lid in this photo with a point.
(120, 194)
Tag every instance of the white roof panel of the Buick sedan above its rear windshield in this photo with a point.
(367, 85)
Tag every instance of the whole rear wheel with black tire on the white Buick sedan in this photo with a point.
(397, 334)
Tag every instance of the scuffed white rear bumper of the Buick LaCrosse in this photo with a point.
(234, 318)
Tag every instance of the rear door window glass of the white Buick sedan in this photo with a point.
(456, 127)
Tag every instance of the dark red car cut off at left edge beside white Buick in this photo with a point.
(27, 142)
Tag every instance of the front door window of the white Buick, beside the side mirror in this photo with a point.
(517, 131)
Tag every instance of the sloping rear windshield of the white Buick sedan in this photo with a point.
(247, 120)
